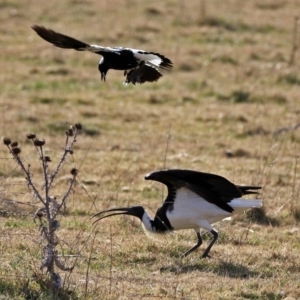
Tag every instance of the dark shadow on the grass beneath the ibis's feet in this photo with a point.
(223, 268)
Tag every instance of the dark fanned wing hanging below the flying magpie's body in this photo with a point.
(141, 74)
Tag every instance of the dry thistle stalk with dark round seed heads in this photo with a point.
(46, 216)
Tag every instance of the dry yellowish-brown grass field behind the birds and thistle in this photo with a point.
(230, 106)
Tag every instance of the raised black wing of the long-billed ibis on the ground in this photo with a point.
(213, 188)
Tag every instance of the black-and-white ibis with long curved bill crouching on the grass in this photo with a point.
(195, 200)
